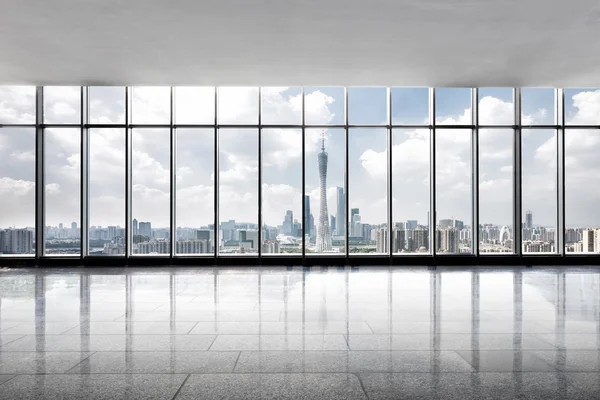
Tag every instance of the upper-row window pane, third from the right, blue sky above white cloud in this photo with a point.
(496, 106)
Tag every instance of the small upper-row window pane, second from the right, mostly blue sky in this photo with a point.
(537, 106)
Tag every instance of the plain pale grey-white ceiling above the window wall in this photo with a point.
(301, 42)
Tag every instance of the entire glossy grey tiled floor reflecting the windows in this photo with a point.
(300, 333)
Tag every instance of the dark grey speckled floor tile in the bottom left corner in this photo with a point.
(92, 387)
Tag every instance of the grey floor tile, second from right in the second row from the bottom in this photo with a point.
(505, 361)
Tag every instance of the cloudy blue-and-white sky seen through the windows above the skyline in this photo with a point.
(282, 155)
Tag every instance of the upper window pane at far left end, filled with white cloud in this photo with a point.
(17, 104)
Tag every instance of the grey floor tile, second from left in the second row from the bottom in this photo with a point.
(158, 363)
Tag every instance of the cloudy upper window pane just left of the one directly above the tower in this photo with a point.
(281, 105)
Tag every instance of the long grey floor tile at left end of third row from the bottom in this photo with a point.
(111, 343)
